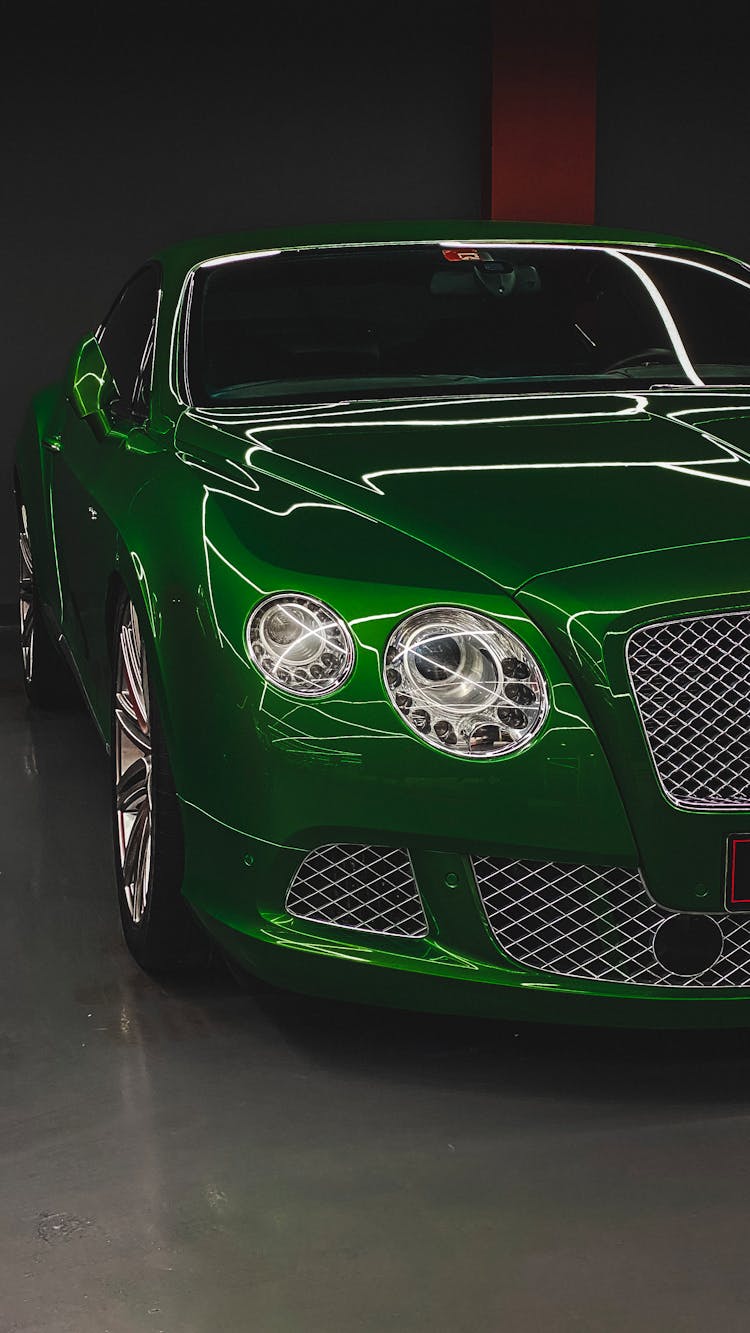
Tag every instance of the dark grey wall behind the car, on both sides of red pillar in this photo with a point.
(115, 146)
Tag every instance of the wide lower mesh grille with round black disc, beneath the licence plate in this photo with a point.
(597, 924)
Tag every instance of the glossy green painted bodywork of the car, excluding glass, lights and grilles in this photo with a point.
(572, 519)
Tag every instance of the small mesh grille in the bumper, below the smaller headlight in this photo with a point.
(363, 888)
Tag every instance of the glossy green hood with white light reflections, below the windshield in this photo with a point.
(514, 489)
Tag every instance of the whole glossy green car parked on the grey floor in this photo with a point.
(406, 573)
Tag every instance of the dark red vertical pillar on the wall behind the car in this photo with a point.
(543, 111)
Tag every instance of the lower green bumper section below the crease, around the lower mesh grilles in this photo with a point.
(238, 886)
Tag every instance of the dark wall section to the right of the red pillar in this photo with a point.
(673, 147)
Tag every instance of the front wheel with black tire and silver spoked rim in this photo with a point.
(159, 928)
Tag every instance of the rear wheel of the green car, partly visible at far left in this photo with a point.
(47, 676)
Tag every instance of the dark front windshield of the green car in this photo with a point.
(403, 321)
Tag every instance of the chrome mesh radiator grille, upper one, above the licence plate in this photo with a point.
(692, 684)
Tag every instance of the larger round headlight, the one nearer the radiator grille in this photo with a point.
(464, 683)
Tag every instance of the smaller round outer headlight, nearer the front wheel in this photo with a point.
(300, 645)
